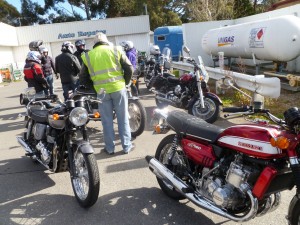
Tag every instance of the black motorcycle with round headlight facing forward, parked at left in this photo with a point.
(56, 136)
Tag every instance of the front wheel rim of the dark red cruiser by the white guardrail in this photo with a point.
(206, 112)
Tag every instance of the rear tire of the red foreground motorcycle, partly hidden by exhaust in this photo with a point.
(162, 155)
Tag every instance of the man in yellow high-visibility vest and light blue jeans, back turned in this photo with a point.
(108, 67)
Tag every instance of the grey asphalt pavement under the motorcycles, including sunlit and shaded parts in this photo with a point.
(129, 192)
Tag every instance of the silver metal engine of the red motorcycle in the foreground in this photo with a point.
(226, 192)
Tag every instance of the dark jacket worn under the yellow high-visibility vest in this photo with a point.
(85, 79)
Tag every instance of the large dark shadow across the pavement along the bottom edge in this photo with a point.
(128, 207)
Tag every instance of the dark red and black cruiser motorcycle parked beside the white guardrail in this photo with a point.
(189, 92)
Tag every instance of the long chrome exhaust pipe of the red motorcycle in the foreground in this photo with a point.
(173, 181)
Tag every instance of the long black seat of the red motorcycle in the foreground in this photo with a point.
(188, 124)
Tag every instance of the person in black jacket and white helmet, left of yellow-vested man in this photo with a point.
(68, 66)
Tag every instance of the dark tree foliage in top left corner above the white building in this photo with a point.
(8, 13)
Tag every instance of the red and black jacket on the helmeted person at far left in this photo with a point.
(34, 76)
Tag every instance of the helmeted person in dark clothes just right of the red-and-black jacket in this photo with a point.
(48, 69)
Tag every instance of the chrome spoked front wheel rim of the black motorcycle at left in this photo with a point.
(81, 177)
